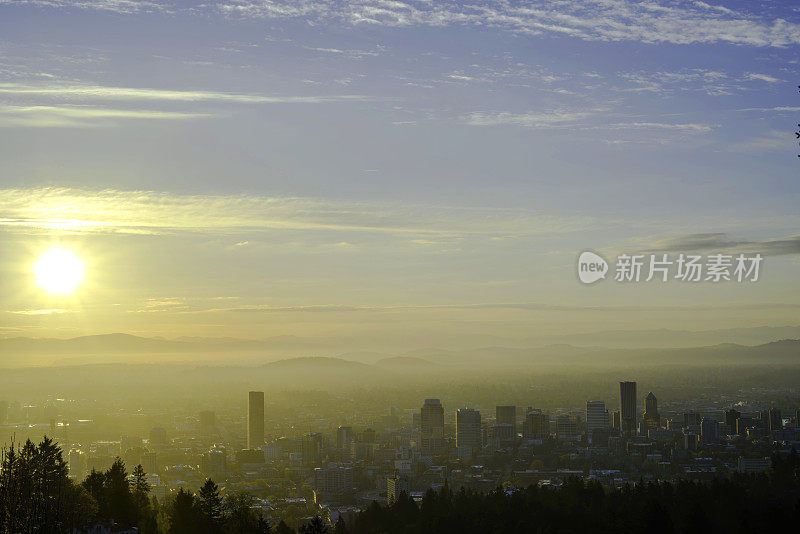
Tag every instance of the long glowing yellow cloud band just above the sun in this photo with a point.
(146, 212)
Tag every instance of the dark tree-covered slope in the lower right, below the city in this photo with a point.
(741, 503)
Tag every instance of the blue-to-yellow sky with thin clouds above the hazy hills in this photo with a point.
(383, 168)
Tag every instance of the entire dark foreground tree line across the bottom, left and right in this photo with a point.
(38, 497)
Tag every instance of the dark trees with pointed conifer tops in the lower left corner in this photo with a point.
(38, 497)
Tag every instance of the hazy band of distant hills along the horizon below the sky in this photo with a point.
(126, 348)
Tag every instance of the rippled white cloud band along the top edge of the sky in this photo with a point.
(679, 22)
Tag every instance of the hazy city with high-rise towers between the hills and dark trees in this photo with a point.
(332, 466)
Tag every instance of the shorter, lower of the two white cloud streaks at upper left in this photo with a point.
(81, 116)
